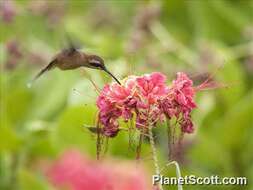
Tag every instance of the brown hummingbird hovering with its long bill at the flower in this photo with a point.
(72, 58)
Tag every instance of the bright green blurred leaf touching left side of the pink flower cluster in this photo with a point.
(71, 133)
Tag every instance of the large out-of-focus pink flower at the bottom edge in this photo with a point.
(75, 172)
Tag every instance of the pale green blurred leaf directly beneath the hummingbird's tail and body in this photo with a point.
(51, 95)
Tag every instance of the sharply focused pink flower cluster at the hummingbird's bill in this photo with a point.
(150, 99)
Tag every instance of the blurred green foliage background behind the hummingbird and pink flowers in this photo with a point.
(198, 37)
